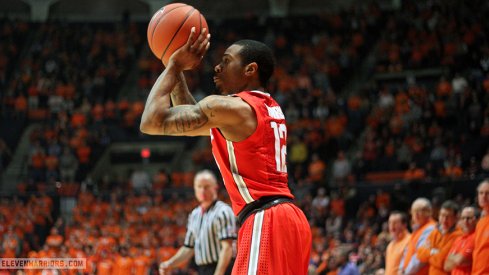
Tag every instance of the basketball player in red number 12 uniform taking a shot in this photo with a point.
(249, 137)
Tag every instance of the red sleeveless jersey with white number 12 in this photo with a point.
(255, 167)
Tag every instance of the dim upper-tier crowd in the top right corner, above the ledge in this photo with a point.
(433, 34)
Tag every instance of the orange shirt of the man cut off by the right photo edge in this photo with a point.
(480, 264)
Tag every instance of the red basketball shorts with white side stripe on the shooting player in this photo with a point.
(274, 241)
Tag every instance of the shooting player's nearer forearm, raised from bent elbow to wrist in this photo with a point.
(158, 101)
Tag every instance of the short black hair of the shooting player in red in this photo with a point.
(255, 51)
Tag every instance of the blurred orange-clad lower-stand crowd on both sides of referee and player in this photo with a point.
(134, 228)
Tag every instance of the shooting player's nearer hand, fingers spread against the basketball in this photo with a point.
(191, 54)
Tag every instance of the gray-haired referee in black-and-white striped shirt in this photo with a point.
(211, 229)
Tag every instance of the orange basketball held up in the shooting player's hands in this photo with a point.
(170, 27)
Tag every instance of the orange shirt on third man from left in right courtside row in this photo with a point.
(442, 244)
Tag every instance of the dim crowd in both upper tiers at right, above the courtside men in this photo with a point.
(434, 127)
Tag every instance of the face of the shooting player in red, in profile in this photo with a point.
(229, 74)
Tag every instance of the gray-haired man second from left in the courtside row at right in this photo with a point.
(422, 225)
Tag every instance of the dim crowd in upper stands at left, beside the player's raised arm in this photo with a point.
(68, 80)
